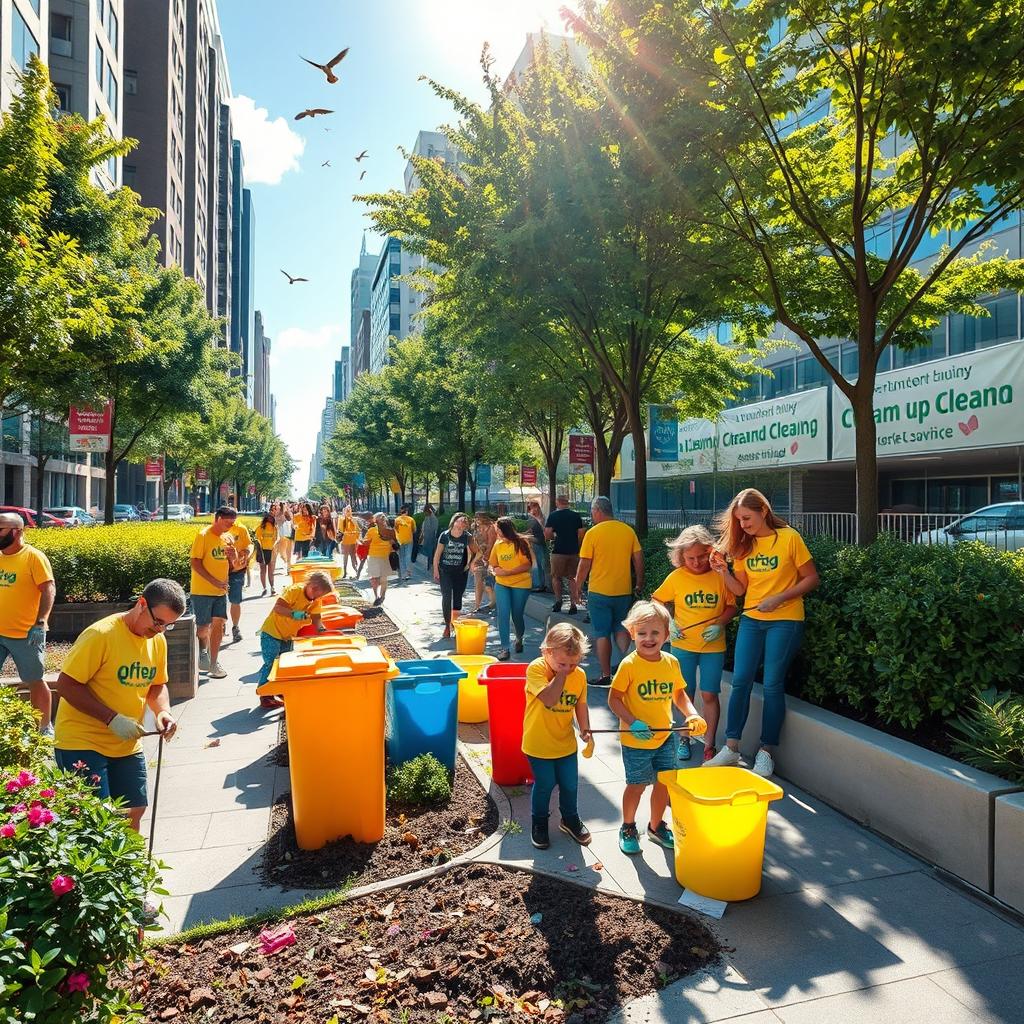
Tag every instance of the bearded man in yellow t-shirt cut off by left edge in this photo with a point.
(27, 592)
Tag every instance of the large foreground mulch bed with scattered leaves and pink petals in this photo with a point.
(479, 943)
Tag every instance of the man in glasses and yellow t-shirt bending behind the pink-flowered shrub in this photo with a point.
(115, 671)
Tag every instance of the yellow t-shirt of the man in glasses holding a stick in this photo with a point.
(119, 668)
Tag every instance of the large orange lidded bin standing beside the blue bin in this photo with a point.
(335, 721)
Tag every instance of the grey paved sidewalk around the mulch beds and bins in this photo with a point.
(847, 927)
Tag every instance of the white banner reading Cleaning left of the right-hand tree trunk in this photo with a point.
(779, 434)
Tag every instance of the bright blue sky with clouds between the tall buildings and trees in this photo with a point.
(307, 222)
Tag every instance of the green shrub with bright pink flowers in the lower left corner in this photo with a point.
(74, 878)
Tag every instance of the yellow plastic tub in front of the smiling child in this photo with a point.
(719, 818)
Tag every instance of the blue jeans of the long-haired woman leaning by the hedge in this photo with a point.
(779, 641)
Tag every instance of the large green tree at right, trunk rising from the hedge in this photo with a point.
(819, 123)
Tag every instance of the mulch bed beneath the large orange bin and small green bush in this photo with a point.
(414, 838)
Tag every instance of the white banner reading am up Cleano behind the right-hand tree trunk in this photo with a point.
(964, 402)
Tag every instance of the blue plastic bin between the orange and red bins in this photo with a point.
(422, 712)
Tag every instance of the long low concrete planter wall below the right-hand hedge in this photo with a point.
(936, 807)
